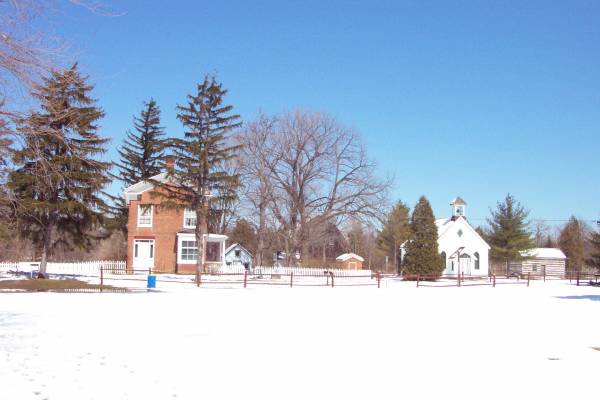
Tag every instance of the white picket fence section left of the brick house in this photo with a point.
(67, 268)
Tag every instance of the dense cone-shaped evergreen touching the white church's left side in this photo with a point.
(422, 256)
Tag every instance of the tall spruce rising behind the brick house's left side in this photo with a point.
(141, 156)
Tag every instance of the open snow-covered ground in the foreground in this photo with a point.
(306, 343)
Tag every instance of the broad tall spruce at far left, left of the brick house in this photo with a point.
(59, 177)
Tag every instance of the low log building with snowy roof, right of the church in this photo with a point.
(541, 260)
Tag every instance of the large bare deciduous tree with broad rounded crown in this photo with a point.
(310, 171)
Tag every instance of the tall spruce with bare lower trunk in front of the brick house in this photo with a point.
(200, 167)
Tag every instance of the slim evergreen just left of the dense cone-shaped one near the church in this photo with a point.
(396, 231)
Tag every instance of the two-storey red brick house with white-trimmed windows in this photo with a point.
(163, 238)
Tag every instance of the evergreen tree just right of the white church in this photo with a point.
(509, 235)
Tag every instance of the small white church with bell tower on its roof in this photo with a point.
(462, 249)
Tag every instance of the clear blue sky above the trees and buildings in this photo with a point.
(476, 98)
